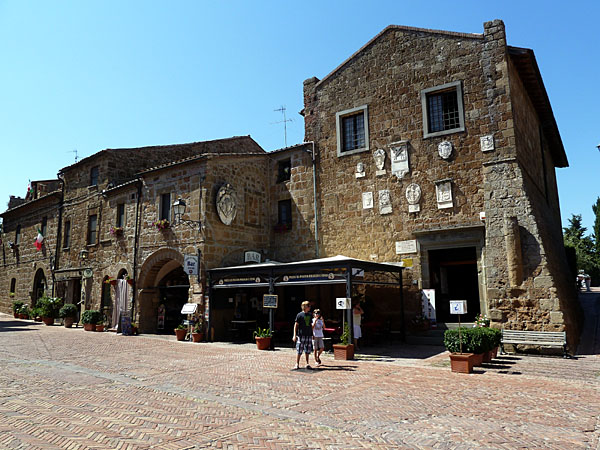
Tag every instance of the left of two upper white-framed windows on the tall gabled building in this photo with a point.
(352, 128)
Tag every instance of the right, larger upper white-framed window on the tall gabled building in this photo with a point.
(443, 111)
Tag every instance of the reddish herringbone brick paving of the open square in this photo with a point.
(69, 389)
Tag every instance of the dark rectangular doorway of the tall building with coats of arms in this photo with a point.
(453, 275)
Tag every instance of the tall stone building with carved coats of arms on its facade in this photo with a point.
(439, 148)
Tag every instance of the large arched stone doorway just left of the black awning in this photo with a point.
(163, 284)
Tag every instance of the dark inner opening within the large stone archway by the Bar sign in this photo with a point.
(174, 290)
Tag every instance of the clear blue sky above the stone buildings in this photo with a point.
(90, 75)
